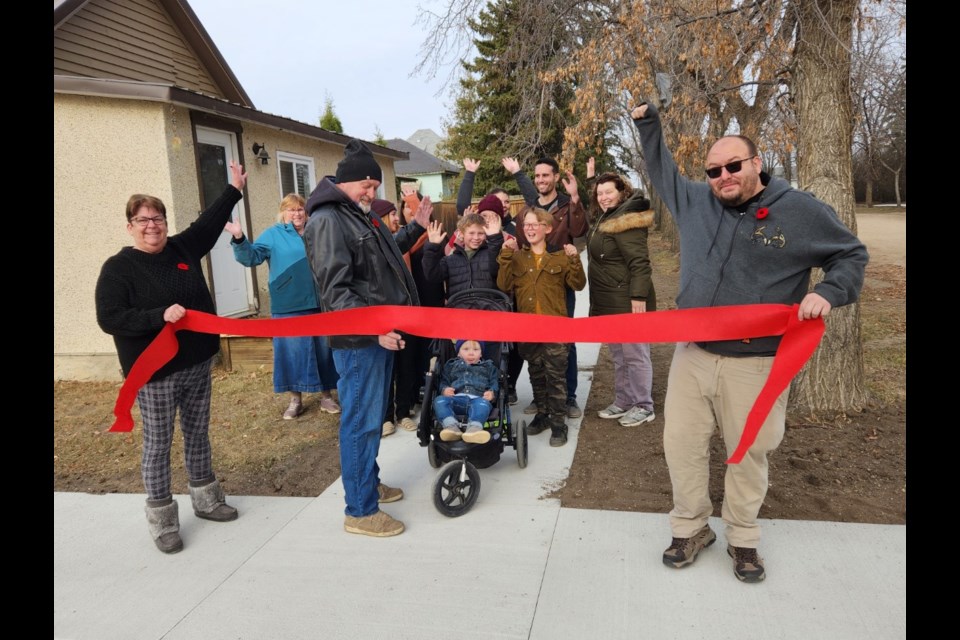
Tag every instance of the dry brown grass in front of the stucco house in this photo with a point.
(250, 439)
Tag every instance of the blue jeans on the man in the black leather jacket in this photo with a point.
(362, 388)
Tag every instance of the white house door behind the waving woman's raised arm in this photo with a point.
(232, 282)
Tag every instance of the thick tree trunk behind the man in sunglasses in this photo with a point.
(833, 379)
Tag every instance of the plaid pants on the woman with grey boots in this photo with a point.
(188, 390)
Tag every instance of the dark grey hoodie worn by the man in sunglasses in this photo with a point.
(730, 258)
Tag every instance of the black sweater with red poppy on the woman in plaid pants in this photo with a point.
(136, 287)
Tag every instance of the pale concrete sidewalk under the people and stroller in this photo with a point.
(516, 566)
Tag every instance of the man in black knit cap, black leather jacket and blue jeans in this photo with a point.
(357, 262)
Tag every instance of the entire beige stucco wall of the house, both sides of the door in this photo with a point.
(104, 151)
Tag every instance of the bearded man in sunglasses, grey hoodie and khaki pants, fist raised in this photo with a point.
(745, 238)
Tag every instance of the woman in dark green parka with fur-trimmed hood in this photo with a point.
(621, 282)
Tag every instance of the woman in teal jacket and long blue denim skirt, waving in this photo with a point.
(300, 364)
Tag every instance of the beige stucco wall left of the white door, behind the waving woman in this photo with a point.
(104, 150)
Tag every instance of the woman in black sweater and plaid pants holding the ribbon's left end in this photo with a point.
(139, 290)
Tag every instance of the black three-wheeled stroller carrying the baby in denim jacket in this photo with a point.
(457, 486)
